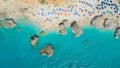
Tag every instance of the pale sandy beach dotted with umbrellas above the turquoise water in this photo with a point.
(32, 9)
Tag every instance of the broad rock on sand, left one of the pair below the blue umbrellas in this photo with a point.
(96, 21)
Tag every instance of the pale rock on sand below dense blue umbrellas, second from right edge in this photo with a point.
(109, 23)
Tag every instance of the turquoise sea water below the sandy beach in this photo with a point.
(94, 49)
